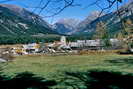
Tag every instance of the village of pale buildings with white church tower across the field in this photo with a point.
(62, 46)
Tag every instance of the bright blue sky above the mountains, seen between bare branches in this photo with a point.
(76, 12)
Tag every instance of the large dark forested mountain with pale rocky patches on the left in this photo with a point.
(15, 20)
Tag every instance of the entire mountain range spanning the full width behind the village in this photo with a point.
(15, 20)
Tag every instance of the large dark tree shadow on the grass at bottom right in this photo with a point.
(98, 80)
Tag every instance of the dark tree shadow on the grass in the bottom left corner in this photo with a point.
(25, 80)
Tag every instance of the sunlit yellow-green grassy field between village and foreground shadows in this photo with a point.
(51, 66)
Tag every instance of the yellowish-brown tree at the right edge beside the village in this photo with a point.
(125, 36)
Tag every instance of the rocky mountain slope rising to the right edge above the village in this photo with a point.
(112, 20)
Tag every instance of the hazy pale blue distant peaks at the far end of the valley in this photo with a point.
(76, 27)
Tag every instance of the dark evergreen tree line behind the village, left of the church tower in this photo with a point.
(25, 39)
